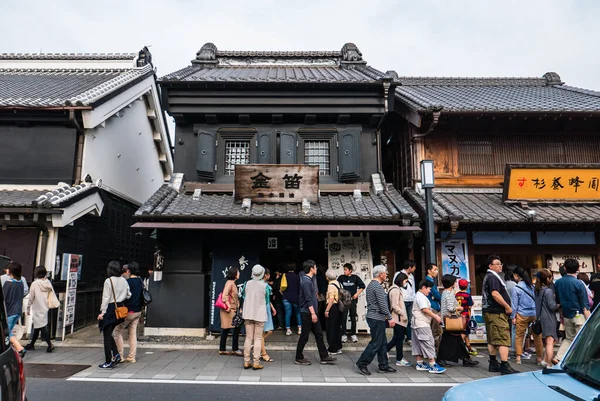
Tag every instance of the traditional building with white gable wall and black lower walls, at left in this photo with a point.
(83, 144)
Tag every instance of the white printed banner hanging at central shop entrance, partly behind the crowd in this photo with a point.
(357, 252)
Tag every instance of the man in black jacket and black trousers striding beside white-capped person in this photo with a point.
(309, 306)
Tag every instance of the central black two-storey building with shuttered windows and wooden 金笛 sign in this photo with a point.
(277, 160)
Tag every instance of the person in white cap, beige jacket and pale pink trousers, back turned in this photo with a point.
(255, 316)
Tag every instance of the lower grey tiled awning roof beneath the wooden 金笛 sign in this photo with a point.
(167, 203)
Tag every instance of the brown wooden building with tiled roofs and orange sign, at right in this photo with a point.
(516, 168)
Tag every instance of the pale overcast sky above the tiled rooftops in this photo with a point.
(415, 38)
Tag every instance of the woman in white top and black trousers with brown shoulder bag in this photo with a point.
(115, 291)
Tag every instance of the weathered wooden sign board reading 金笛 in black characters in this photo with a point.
(271, 183)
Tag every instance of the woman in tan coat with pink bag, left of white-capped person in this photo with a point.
(232, 301)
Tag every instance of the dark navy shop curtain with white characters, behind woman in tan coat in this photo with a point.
(223, 259)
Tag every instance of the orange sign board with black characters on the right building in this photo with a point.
(552, 183)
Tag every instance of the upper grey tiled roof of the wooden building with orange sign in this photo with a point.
(547, 94)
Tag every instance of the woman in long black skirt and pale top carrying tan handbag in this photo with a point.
(452, 346)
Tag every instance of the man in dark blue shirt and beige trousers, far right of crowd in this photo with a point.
(573, 301)
